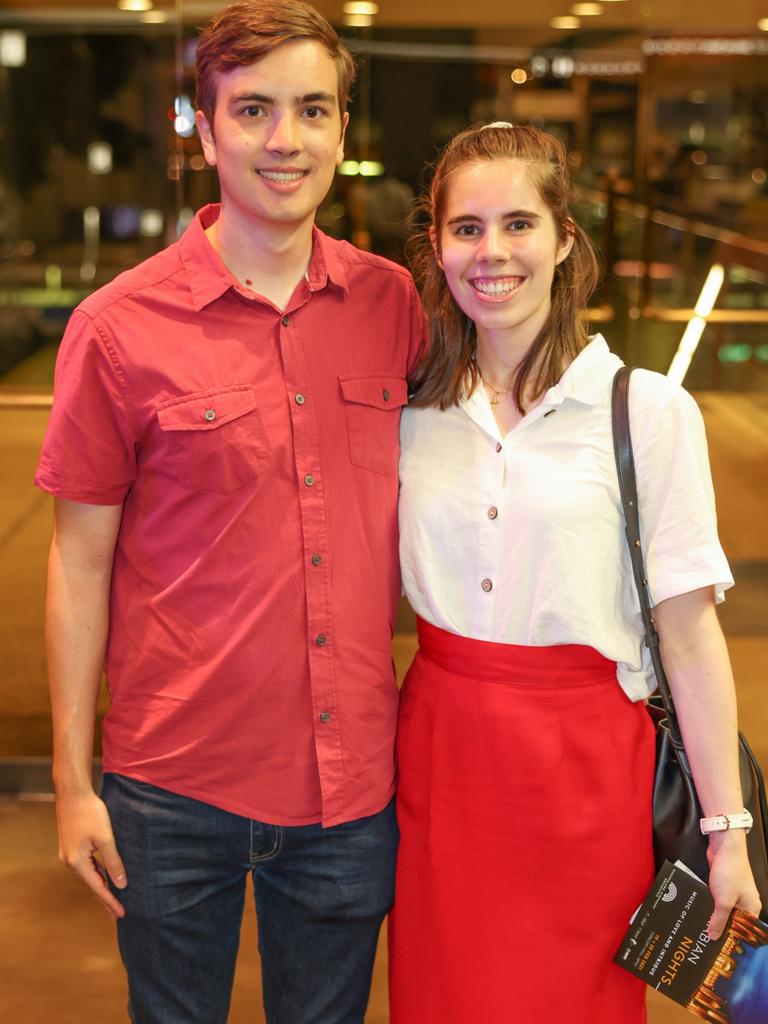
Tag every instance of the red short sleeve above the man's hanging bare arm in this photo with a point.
(90, 451)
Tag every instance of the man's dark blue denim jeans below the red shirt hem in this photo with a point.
(321, 898)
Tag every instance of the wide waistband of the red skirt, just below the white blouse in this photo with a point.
(561, 665)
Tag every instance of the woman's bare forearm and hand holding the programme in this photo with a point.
(696, 660)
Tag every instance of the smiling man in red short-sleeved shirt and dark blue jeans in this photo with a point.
(224, 453)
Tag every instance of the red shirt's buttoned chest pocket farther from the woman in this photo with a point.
(214, 440)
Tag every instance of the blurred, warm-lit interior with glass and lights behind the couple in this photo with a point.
(664, 108)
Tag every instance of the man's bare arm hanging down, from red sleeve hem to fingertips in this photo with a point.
(77, 625)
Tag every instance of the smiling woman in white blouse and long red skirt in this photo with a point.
(526, 753)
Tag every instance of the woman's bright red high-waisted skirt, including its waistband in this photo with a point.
(526, 836)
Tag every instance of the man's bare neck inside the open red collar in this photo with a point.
(270, 262)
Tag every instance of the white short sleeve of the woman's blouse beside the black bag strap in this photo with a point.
(678, 522)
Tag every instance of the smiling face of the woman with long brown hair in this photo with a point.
(499, 247)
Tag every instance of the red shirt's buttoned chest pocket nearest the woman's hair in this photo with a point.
(373, 408)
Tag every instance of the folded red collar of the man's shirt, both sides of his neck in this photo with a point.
(209, 278)
